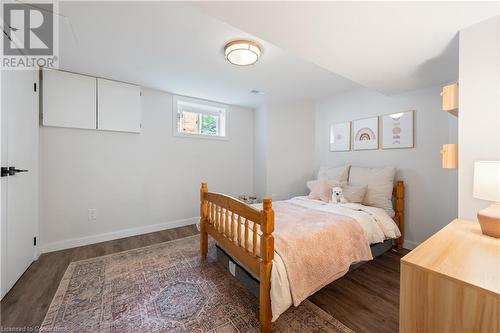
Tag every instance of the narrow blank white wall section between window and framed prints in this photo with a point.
(284, 149)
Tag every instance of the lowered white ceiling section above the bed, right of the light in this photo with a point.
(387, 46)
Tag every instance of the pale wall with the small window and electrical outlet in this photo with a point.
(137, 182)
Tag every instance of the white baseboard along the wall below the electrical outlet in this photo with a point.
(87, 240)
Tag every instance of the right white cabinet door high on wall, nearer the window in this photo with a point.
(118, 106)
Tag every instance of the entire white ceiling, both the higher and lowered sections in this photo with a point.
(310, 50)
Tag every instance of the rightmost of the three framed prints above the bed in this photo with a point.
(398, 130)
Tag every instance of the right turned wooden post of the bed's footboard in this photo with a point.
(267, 254)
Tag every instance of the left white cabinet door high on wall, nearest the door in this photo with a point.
(68, 100)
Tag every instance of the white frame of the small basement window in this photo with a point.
(201, 107)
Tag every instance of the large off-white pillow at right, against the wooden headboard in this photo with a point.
(379, 183)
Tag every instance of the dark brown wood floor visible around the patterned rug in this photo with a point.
(366, 300)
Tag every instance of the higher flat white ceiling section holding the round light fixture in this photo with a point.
(175, 47)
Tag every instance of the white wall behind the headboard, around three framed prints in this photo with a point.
(431, 192)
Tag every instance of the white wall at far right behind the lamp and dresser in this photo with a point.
(479, 114)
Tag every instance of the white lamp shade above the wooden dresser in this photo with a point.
(487, 180)
